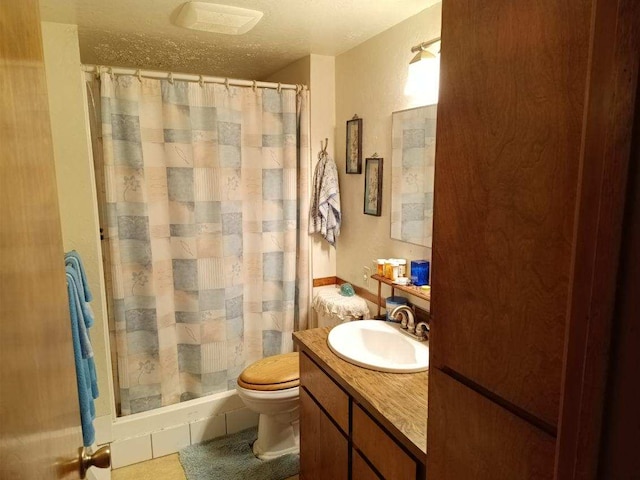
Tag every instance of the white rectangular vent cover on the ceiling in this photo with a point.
(211, 17)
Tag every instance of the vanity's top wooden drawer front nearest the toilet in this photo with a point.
(328, 394)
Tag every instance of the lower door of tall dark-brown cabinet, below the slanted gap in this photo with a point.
(471, 437)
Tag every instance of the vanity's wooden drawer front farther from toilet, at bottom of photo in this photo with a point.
(383, 452)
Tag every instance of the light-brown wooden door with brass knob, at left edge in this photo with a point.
(39, 418)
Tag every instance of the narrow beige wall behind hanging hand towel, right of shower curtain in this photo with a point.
(318, 73)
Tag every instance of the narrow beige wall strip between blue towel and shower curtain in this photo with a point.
(76, 186)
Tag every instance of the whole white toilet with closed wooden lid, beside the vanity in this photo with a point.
(270, 387)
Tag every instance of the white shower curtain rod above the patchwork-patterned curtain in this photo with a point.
(188, 77)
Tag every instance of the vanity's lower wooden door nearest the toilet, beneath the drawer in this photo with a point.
(324, 451)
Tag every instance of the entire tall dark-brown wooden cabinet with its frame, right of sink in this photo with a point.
(534, 127)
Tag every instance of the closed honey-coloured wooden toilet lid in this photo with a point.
(272, 373)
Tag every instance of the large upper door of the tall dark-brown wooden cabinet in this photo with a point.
(507, 159)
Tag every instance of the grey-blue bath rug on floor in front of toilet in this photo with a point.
(231, 458)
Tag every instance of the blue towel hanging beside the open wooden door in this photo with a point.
(85, 366)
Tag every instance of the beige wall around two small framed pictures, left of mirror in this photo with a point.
(370, 81)
